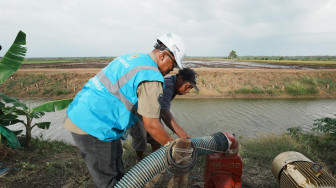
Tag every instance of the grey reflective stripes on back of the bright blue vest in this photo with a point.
(114, 89)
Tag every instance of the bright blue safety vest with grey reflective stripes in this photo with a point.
(106, 106)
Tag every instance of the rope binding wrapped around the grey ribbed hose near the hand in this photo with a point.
(173, 166)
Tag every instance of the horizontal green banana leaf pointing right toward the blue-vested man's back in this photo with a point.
(53, 106)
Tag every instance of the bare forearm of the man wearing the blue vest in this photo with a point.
(156, 130)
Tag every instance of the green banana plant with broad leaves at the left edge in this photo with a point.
(9, 114)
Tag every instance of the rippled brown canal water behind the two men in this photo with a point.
(201, 117)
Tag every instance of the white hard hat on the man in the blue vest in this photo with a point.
(176, 45)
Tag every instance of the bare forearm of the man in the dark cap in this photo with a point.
(168, 118)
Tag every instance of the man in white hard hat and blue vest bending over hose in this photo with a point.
(109, 104)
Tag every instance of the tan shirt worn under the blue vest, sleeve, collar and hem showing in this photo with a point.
(148, 104)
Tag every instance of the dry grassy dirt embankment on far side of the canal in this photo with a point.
(212, 82)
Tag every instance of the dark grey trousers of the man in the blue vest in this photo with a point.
(102, 158)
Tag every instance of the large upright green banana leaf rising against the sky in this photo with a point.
(13, 58)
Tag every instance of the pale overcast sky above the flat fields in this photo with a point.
(85, 28)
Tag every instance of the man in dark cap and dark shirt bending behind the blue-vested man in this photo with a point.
(179, 84)
